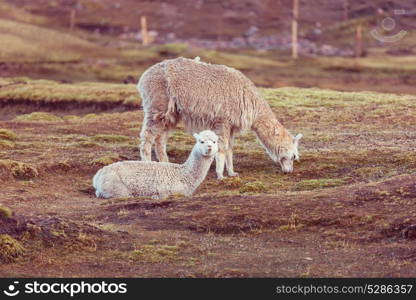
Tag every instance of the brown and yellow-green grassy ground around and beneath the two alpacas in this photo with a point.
(345, 211)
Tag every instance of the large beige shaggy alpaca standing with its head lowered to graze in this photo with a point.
(209, 96)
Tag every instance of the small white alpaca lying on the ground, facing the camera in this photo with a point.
(158, 180)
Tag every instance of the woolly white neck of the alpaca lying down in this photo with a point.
(197, 167)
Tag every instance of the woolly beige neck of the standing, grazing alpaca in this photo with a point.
(269, 131)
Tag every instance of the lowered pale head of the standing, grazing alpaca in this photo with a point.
(287, 152)
